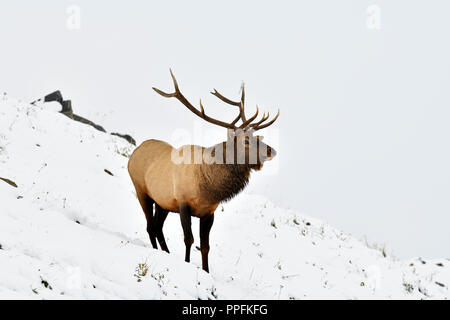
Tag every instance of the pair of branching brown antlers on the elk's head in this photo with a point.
(246, 123)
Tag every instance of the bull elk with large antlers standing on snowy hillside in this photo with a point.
(193, 180)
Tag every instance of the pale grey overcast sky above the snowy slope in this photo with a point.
(363, 136)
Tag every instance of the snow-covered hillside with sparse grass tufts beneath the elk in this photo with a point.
(72, 230)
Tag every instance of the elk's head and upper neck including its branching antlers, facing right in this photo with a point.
(242, 146)
